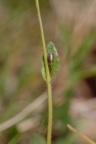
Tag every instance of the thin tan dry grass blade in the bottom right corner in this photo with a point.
(85, 138)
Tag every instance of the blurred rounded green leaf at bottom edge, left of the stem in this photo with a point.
(37, 139)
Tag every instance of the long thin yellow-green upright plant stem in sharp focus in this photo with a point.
(49, 133)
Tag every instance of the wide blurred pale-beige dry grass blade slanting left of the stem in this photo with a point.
(36, 104)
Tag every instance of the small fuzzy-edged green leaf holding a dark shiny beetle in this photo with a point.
(53, 67)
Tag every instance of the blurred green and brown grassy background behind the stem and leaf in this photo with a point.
(71, 26)
